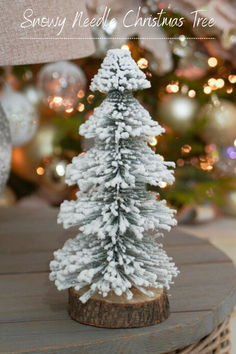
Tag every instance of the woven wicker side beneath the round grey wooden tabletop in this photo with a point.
(217, 342)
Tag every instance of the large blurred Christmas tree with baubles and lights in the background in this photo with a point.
(192, 95)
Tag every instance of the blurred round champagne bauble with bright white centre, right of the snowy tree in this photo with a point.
(178, 111)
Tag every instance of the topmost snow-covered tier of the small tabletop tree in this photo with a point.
(119, 72)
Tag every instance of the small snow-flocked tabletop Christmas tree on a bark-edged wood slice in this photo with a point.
(115, 261)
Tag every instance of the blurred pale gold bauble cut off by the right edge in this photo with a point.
(220, 127)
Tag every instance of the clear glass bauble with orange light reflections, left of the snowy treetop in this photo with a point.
(61, 84)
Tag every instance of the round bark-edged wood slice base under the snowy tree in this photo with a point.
(117, 312)
